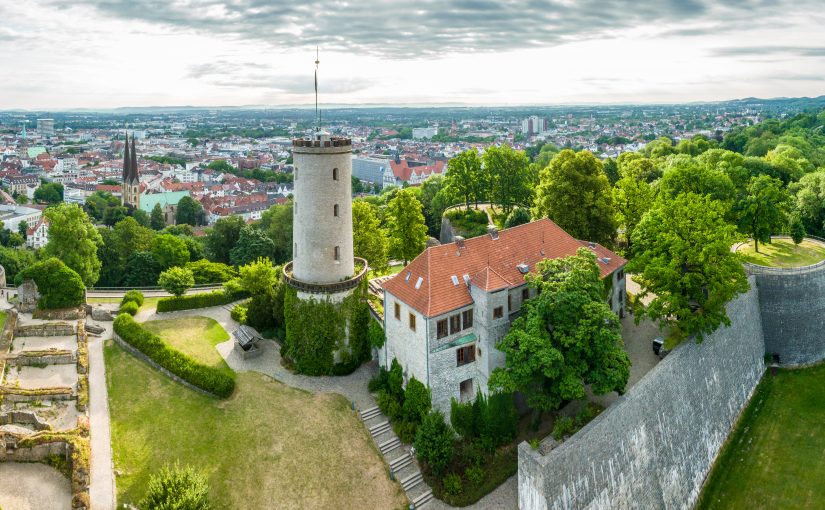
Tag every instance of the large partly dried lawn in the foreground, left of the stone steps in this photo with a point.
(268, 446)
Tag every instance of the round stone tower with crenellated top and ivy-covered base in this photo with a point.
(325, 313)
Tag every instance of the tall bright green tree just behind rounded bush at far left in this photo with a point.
(74, 240)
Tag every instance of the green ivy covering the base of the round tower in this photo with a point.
(316, 329)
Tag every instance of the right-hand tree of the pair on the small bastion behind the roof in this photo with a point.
(509, 177)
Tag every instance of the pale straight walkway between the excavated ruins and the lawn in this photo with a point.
(102, 486)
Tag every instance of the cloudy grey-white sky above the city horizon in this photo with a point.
(109, 53)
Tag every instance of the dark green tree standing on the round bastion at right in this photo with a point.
(764, 210)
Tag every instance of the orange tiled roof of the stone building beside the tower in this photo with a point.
(490, 264)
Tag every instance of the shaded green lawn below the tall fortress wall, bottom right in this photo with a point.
(775, 458)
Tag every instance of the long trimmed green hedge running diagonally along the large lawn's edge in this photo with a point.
(207, 378)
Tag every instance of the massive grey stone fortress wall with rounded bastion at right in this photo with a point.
(655, 447)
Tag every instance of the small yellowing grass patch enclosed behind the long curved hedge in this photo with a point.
(194, 336)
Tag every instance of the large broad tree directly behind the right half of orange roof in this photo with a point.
(574, 192)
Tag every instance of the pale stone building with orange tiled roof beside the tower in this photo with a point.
(447, 310)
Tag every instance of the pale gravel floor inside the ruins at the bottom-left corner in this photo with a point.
(33, 486)
